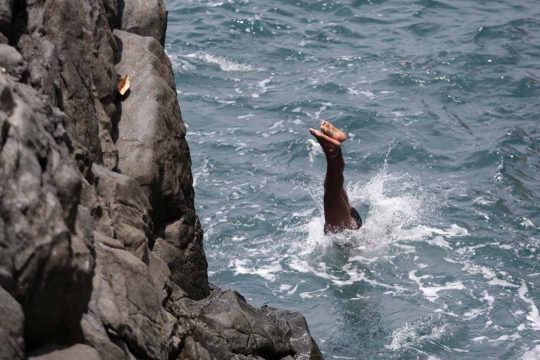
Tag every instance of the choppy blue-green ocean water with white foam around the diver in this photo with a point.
(441, 104)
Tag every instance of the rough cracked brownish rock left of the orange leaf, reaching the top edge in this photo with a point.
(71, 57)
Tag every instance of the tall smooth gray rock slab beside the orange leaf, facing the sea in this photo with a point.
(156, 154)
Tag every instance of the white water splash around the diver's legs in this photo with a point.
(393, 207)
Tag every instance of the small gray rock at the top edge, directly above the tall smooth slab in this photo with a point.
(143, 17)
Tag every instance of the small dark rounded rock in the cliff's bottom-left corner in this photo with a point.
(11, 323)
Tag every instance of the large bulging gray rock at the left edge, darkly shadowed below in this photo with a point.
(46, 263)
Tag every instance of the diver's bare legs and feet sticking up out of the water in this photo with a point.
(336, 202)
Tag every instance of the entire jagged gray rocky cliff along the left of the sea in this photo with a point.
(101, 253)
